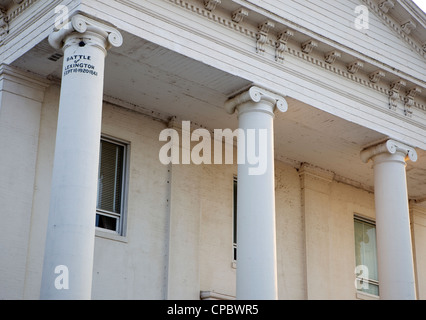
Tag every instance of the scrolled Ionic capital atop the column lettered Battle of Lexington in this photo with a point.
(81, 24)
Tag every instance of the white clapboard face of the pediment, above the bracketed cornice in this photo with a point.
(392, 34)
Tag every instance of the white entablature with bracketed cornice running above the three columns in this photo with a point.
(274, 49)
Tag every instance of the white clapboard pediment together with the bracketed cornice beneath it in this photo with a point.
(388, 45)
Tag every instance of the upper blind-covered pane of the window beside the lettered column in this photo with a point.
(110, 177)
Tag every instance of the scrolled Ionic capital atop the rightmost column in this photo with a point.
(390, 147)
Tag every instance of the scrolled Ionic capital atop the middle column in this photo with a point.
(256, 94)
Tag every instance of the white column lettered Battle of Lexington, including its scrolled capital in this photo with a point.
(68, 257)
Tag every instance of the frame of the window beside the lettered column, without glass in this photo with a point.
(120, 230)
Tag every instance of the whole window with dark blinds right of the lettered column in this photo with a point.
(111, 182)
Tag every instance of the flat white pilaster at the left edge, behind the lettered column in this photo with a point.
(21, 99)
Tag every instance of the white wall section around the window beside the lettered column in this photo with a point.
(136, 268)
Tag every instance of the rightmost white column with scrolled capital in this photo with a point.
(394, 249)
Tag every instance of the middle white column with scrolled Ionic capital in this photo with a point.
(256, 253)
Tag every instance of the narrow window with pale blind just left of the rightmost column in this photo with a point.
(366, 256)
